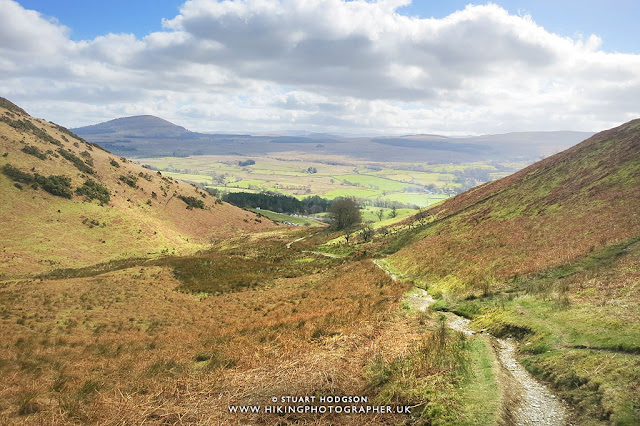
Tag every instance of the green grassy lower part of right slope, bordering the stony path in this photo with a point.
(586, 347)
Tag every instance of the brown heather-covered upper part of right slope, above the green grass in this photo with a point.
(546, 215)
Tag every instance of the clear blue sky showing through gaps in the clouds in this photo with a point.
(615, 21)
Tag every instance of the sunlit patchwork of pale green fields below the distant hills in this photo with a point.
(301, 175)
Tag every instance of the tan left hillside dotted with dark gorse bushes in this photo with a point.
(69, 203)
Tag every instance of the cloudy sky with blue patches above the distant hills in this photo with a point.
(356, 67)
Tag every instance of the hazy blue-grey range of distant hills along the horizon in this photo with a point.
(149, 136)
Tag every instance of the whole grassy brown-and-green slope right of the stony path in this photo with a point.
(549, 255)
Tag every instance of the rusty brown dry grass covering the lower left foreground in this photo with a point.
(124, 347)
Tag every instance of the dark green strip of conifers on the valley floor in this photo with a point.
(278, 203)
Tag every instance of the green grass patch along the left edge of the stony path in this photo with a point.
(448, 378)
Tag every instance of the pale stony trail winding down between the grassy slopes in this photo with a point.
(526, 401)
